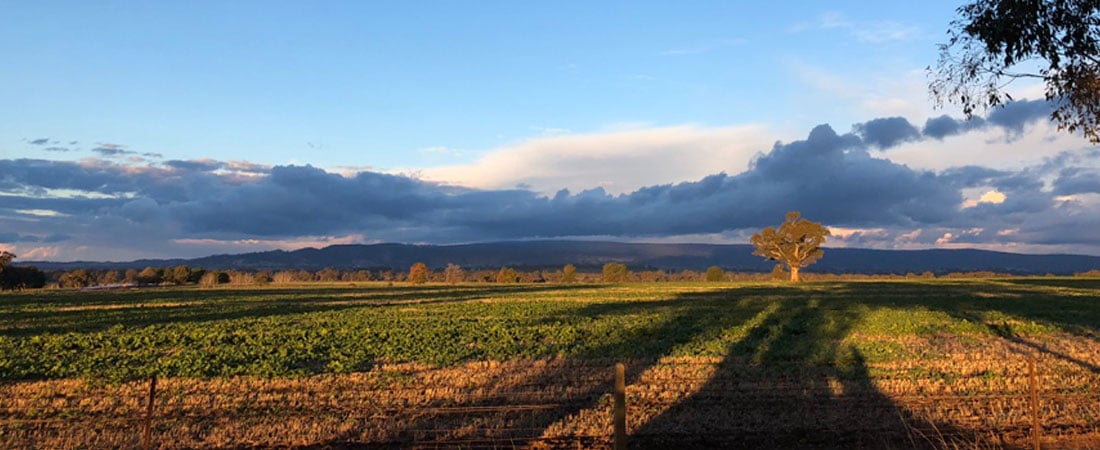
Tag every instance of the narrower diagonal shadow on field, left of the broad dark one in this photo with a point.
(658, 328)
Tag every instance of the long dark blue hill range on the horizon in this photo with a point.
(585, 255)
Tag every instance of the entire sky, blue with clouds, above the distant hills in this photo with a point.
(133, 130)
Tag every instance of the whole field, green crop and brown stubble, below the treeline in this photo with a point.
(846, 365)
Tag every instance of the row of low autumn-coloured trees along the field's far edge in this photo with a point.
(19, 278)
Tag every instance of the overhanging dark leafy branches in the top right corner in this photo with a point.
(995, 42)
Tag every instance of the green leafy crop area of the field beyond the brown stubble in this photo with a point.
(279, 332)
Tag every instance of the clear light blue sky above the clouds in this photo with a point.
(380, 84)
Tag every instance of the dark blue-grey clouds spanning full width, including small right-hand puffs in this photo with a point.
(833, 179)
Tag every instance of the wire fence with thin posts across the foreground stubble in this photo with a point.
(579, 404)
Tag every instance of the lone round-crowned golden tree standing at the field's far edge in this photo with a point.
(796, 244)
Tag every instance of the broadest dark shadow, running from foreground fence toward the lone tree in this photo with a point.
(788, 383)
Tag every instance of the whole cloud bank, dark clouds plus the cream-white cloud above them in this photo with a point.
(853, 181)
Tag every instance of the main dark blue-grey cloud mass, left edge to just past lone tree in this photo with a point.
(828, 177)
